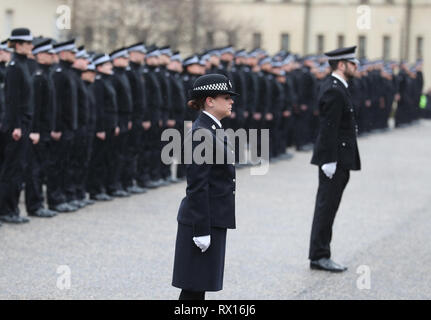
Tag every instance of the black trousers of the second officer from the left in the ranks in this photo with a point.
(38, 160)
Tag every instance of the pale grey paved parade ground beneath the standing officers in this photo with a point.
(124, 249)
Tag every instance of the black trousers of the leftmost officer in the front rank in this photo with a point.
(12, 170)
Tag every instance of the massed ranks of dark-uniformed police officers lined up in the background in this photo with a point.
(89, 125)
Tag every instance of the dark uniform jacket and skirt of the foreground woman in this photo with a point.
(208, 209)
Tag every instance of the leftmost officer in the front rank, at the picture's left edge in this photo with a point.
(17, 125)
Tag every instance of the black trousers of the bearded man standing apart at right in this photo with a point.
(327, 202)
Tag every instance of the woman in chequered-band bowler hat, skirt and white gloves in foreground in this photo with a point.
(208, 209)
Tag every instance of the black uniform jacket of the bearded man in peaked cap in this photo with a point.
(336, 141)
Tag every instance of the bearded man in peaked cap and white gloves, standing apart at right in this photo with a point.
(336, 153)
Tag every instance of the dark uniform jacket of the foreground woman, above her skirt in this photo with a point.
(210, 199)
